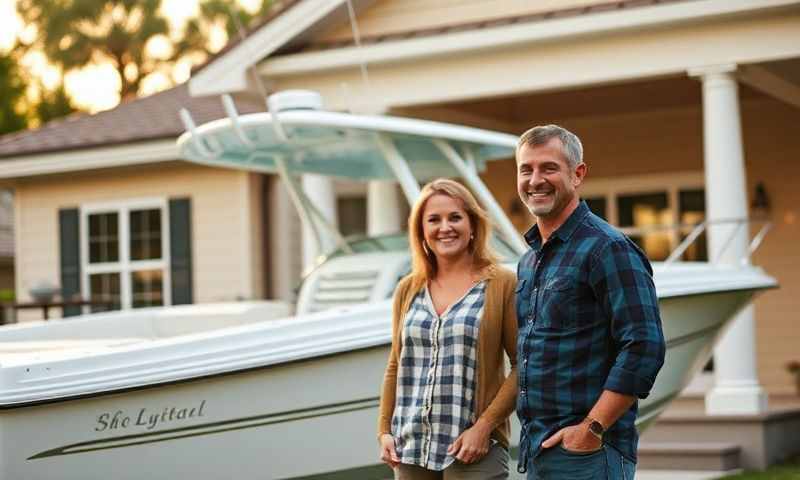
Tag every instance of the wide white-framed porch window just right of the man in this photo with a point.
(656, 211)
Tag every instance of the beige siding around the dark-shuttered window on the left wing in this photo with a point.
(222, 210)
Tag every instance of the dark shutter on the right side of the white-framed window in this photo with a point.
(180, 250)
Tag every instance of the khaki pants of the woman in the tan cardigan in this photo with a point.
(494, 466)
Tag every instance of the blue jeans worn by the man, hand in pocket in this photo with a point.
(558, 463)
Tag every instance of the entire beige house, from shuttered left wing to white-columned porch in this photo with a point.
(688, 111)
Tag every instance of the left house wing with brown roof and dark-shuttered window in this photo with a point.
(105, 209)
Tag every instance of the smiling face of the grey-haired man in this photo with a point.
(545, 182)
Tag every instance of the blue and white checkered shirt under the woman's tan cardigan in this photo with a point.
(436, 378)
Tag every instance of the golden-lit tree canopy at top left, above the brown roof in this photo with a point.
(75, 33)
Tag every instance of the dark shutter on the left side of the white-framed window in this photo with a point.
(70, 257)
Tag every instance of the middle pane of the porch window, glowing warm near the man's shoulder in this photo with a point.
(646, 211)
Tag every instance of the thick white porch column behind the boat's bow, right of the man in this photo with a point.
(736, 389)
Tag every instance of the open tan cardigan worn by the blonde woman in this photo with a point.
(496, 393)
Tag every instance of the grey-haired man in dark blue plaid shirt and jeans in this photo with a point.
(590, 339)
